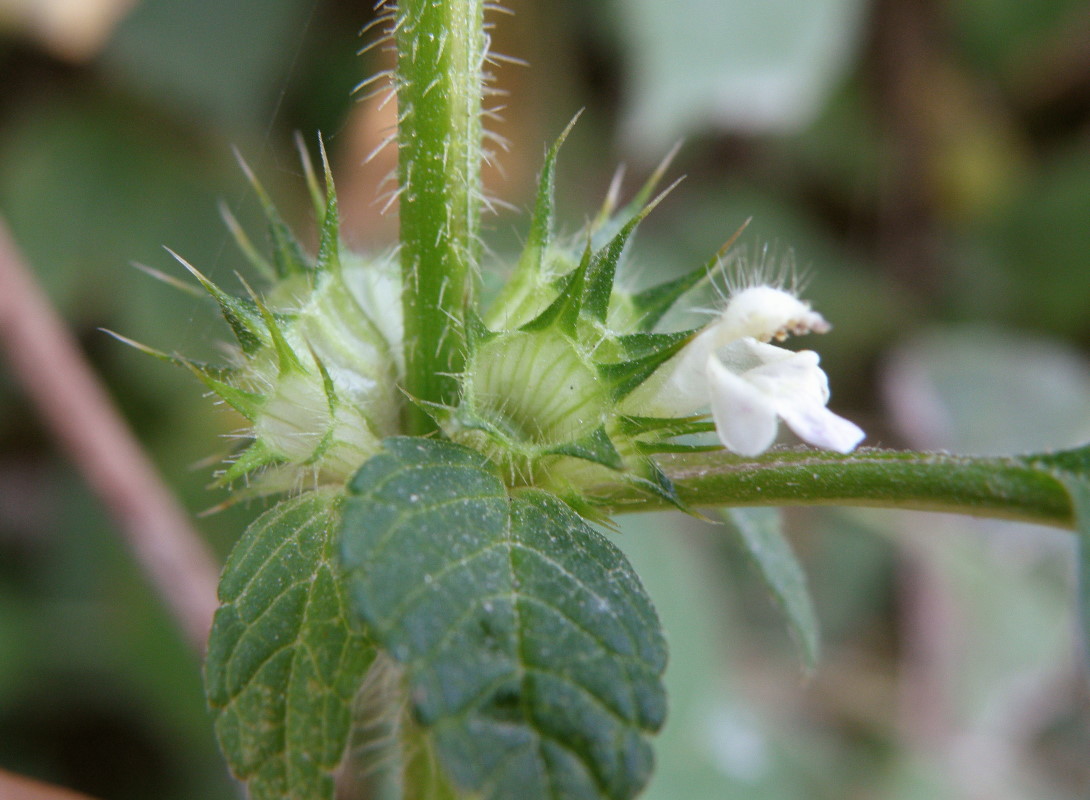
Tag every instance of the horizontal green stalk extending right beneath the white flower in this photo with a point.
(1001, 488)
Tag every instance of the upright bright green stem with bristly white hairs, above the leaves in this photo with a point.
(441, 51)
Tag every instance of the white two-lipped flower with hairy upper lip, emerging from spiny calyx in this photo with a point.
(749, 384)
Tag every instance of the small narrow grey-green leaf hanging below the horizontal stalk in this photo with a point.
(761, 536)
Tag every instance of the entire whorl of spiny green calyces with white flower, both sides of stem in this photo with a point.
(567, 383)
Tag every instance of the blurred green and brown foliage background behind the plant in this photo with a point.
(929, 166)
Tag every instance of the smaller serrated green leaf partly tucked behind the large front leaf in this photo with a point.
(284, 663)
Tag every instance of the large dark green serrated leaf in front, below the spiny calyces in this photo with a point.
(532, 654)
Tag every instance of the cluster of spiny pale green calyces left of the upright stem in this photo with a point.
(318, 359)
